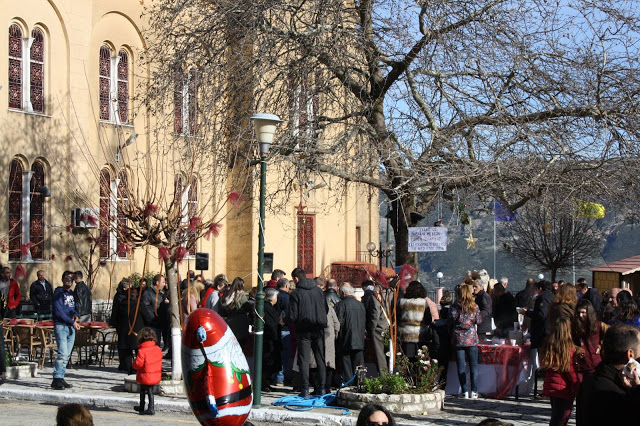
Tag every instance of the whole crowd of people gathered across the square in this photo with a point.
(317, 331)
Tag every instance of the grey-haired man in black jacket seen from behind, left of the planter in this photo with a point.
(352, 316)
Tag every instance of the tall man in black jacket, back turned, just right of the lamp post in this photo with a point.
(308, 311)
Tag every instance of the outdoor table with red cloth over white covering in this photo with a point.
(502, 369)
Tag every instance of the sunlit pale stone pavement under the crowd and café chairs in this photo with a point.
(104, 387)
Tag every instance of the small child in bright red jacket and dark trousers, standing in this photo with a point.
(149, 368)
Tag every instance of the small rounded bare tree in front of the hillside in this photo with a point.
(552, 238)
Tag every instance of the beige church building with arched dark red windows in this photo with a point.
(71, 69)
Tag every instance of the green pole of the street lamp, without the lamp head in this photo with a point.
(259, 322)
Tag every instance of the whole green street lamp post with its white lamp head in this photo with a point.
(265, 127)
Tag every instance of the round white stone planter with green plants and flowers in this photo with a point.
(413, 389)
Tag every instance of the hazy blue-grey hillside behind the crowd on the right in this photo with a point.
(621, 241)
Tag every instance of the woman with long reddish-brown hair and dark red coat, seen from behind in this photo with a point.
(562, 379)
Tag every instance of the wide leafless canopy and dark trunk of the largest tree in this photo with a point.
(501, 98)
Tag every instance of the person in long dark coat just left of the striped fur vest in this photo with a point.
(376, 324)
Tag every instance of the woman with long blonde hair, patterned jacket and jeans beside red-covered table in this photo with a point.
(465, 315)
